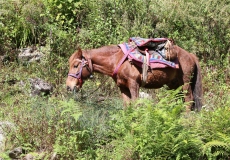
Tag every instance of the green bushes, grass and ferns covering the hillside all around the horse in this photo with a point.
(84, 127)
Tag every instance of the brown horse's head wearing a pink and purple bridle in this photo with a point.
(79, 70)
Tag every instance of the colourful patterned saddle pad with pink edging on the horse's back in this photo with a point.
(135, 55)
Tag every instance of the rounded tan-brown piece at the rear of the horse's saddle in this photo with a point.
(170, 50)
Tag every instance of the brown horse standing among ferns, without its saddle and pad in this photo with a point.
(129, 77)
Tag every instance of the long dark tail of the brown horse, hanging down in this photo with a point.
(197, 88)
